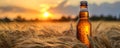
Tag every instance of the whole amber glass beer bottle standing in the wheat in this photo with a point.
(84, 26)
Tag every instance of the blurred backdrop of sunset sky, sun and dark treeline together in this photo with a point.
(31, 10)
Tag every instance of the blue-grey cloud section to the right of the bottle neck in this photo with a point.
(105, 8)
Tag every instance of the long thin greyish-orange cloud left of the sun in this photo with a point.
(16, 9)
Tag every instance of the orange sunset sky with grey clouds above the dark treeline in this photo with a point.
(56, 8)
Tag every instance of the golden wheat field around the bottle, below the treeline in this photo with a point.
(57, 35)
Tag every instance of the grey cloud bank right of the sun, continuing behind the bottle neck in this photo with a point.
(104, 8)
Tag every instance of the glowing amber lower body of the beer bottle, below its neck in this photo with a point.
(83, 31)
